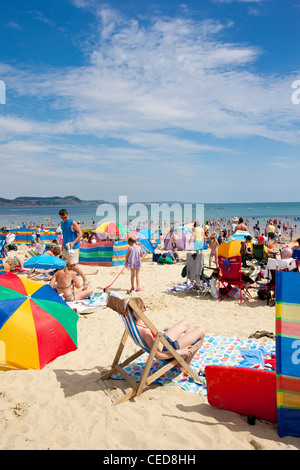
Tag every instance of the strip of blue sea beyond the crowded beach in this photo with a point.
(137, 215)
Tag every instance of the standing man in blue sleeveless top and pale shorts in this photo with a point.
(72, 234)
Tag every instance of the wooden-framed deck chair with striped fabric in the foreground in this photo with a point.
(131, 331)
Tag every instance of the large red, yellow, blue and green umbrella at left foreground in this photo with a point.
(36, 325)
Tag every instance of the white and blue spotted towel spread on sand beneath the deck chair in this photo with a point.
(216, 350)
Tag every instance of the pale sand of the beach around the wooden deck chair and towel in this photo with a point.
(63, 406)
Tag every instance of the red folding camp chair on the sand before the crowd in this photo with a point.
(230, 277)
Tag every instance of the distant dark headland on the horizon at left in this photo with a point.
(48, 201)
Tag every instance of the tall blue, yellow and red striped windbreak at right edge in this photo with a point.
(288, 352)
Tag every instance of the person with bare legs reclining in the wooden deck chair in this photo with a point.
(177, 336)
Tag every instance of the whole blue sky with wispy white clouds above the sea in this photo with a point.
(163, 100)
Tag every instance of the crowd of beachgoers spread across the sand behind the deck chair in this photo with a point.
(208, 236)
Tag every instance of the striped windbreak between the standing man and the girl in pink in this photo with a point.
(103, 253)
